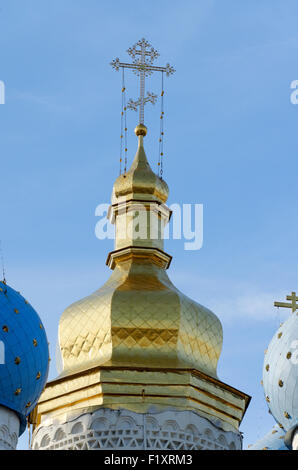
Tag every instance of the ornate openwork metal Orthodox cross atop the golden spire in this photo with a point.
(142, 66)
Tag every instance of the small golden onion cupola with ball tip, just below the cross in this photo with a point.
(140, 182)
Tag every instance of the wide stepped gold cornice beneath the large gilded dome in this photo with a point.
(138, 389)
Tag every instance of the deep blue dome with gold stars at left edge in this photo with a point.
(24, 354)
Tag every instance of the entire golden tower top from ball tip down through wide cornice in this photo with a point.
(138, 342)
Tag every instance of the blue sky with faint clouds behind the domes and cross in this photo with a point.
(231, 143)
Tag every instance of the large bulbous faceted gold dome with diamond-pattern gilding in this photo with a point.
(138, 316)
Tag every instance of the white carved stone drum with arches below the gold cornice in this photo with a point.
(107, 429)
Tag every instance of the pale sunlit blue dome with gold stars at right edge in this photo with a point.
(280, 374)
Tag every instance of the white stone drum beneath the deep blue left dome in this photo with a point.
(9, 429)
